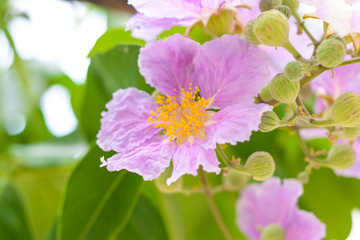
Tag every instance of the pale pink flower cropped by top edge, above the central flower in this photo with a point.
(155, 16)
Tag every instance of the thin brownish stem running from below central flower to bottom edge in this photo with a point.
(212, 206)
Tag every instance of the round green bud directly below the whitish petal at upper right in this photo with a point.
(331, 53)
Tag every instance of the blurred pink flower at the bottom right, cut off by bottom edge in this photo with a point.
(272, 202)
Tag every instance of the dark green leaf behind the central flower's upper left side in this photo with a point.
(107, 73)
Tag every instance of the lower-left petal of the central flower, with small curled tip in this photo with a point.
(148, 160)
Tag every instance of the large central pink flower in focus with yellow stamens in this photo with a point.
(223, 74)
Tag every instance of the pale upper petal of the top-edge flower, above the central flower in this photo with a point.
(167, 8)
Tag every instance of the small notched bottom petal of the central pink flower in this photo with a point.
(188, 158)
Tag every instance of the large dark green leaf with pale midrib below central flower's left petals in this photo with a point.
(97, 203)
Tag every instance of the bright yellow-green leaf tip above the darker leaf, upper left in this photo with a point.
(112, 38)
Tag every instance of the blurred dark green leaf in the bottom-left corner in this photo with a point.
(13, 219)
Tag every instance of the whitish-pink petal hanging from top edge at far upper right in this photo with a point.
(337, 14)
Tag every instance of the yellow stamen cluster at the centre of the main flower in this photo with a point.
(180, 120)
